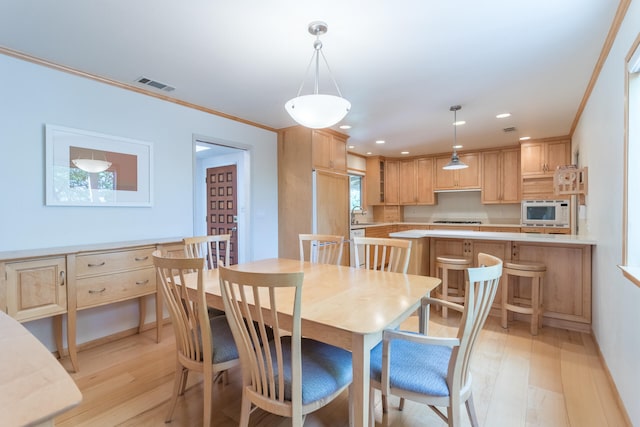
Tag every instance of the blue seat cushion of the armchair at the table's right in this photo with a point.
(415, 367)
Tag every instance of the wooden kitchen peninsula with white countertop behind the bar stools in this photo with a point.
(567, 283)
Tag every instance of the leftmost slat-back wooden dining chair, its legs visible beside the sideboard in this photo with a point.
(203, 344)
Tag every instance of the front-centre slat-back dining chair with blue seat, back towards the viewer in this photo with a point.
(285, 374)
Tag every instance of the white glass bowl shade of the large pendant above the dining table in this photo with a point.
(317, 111)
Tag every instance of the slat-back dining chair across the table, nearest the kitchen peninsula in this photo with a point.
(385, 254)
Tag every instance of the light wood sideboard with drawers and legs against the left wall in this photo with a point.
(53, 282)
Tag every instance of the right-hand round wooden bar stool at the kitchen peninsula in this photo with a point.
(535, 271)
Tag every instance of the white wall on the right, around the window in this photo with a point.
(599, 139)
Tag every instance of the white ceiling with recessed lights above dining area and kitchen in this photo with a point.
(401, 64)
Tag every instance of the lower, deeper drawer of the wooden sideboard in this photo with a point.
(98, 290)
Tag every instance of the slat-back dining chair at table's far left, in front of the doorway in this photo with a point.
(215, 249)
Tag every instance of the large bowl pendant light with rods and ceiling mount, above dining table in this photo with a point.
(317, 110)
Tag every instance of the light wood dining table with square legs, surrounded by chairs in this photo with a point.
(342, 306)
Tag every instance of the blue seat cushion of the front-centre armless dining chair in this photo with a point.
(325, 369)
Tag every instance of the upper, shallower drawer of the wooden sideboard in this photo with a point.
(108, 262)
